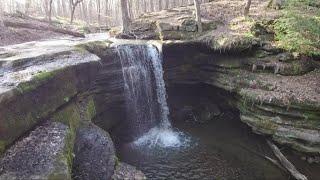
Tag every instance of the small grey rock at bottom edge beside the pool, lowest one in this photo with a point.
(126, 171)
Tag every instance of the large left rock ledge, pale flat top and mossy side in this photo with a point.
(36, 81)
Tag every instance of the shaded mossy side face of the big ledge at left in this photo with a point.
(32, 101)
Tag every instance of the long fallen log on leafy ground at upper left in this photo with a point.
(41, 27)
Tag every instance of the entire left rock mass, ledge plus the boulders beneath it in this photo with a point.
(63, 83)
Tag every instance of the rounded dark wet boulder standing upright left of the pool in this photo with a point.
(94, 154)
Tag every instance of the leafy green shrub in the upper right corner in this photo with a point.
(298, 29)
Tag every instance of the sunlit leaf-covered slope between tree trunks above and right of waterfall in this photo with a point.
(228, 12)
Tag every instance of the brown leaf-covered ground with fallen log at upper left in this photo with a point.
(40, 29)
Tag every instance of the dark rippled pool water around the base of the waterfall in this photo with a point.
(211, 152)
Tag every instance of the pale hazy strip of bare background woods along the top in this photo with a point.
(107, 12)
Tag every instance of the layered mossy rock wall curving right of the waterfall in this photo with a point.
(270, 101)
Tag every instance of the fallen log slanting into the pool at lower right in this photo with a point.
(286, 163)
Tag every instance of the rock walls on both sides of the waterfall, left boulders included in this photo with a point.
(64, 87)
